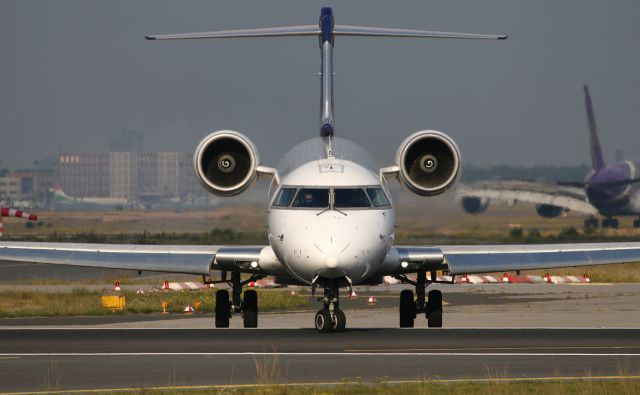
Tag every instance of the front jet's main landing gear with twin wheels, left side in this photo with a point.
(248, 307)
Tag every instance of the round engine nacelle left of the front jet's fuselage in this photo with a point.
(225, 163)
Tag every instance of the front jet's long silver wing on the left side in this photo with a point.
(161, 258)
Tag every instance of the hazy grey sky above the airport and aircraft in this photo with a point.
(72, 73)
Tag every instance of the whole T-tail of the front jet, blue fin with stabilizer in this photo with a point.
(326, 30)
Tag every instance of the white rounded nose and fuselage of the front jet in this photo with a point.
(333, 241)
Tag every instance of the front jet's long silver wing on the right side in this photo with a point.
(468, 259)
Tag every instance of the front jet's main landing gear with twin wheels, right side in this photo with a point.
(410, 307)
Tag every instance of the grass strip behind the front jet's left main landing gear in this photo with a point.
(81, 302)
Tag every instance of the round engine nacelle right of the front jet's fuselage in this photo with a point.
(428, 162)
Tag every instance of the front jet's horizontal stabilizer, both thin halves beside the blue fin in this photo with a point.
(314, 30)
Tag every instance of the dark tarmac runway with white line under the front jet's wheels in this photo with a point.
(46, 359)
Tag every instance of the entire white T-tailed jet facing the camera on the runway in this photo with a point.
(330, 217)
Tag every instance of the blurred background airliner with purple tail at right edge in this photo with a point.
(609, 190)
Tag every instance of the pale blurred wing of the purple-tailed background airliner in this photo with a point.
(571, 198)
